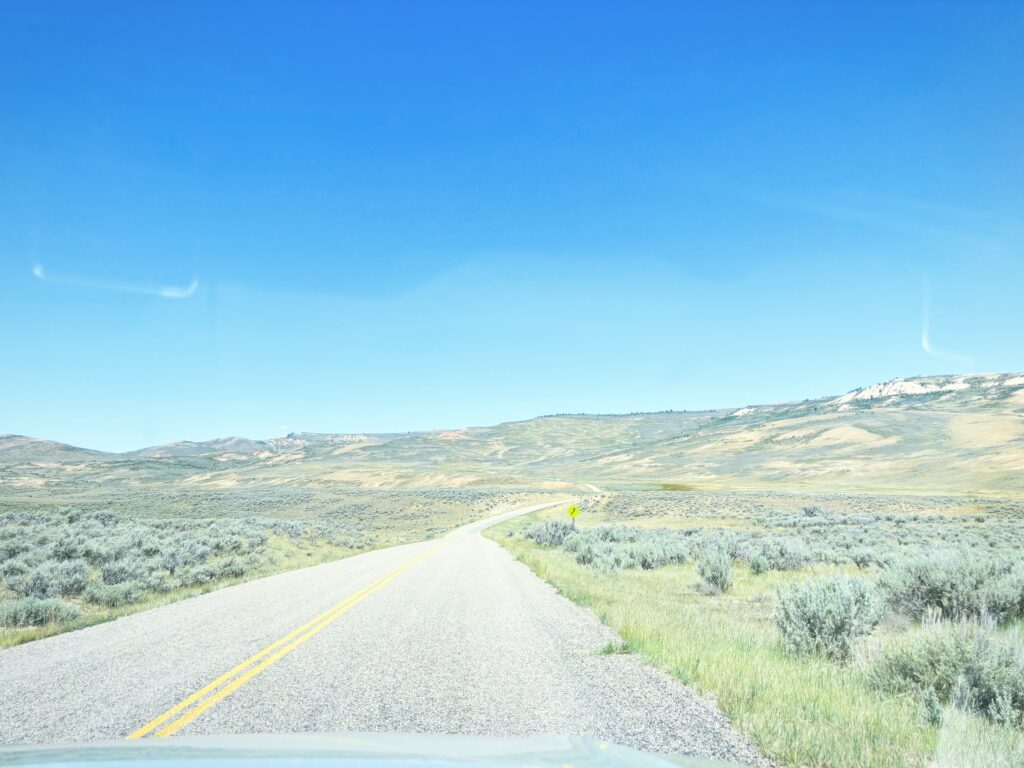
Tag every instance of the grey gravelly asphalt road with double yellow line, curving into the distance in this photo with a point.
(447, 636)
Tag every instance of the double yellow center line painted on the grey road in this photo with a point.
(191, 708)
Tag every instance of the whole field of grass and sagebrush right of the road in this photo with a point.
(834, 630)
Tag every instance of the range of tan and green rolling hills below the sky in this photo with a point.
(952, 435)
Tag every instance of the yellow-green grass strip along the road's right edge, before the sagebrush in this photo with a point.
(802, 712)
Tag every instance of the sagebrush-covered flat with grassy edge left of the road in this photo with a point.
(67, 566)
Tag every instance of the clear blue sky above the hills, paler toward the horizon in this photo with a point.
(388, 218)
